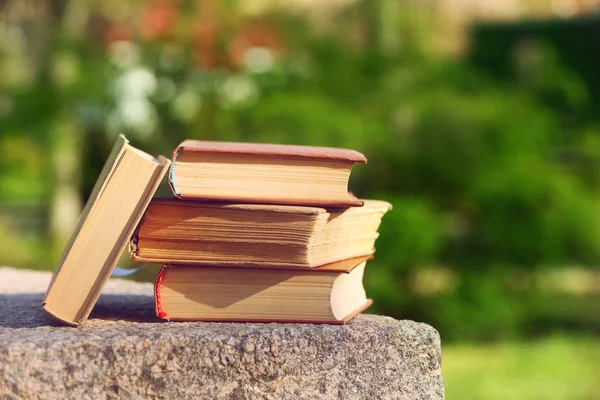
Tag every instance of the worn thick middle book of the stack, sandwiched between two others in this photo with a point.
(180, 232)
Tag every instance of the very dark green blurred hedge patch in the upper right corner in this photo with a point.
(494, 46)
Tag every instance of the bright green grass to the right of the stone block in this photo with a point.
(556, 368)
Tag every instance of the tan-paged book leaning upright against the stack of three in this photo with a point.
(122, 192)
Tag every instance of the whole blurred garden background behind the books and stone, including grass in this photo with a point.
(480, 120)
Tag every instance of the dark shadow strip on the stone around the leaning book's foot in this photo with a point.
(24, 310)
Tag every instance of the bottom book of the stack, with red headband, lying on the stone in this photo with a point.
(331, 294)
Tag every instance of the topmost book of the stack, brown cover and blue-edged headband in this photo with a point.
(263, 173)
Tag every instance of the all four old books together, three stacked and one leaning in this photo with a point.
(255, 232)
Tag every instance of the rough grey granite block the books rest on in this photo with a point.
(126, 352)
